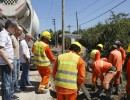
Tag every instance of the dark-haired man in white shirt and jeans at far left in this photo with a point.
(6, 58)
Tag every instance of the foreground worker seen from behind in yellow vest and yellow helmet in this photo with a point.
(69, 73)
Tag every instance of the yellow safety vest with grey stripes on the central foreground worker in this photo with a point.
(66, 75)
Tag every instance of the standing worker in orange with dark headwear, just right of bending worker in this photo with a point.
(115, 58)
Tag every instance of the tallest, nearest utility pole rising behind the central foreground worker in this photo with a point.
(63, 38)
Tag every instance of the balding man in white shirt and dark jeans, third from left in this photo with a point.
(25, 61)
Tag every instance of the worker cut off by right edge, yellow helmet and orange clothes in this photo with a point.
(128, 74)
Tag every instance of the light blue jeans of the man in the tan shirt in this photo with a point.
(16, 74)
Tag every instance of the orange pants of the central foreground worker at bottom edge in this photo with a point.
(72, 96)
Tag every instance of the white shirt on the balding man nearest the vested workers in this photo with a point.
(24, 50)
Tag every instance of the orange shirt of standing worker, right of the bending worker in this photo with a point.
(115, 59)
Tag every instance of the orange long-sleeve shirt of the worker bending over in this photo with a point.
(100, 67)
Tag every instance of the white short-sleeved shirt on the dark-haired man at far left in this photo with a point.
(6, 42)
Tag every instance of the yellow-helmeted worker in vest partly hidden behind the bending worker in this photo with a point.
(96, 55)
